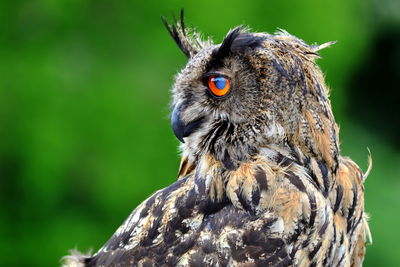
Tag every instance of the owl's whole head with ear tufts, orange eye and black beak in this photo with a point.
(253, 90)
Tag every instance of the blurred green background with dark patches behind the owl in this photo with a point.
(84, 110)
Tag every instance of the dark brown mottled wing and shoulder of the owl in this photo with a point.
(180, 225)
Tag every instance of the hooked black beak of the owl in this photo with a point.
(181, 129)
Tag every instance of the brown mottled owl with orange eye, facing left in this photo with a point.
(261, 180)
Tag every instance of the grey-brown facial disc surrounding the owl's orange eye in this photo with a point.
(217, 88)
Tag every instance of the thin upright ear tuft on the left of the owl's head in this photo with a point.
(188, 42)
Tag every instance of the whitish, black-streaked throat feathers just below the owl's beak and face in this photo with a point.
(232, 144)
